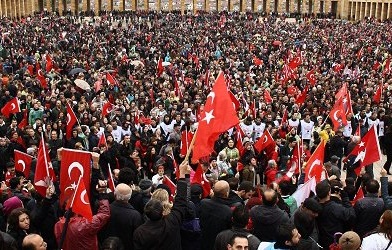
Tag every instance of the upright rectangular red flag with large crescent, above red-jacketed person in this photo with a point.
(74, 164)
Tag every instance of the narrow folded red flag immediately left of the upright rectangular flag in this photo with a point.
(44, 173)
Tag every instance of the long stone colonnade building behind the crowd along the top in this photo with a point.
(344, 9)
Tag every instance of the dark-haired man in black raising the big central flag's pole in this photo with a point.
(163, 233)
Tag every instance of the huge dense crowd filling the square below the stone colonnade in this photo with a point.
(137, 83)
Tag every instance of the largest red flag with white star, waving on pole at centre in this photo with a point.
(218, 116)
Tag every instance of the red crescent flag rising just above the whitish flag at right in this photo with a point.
(314, 166)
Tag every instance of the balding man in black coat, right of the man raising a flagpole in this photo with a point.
(215, 214)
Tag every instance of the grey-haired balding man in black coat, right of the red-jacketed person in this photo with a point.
(124, 218)
